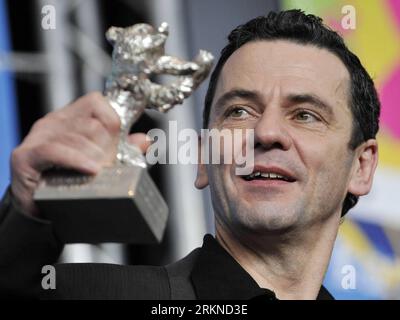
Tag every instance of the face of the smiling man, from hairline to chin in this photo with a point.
(295, 97)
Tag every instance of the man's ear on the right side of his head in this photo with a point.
(364, 168)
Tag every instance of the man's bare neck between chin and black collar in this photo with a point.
(293, 264)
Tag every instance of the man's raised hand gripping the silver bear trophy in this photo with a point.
(82, 136)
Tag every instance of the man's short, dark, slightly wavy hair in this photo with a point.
(308, 29)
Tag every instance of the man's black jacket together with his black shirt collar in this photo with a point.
(27, 244)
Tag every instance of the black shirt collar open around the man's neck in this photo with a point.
(216, 275)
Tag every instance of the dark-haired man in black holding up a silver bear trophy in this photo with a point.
(314, 111)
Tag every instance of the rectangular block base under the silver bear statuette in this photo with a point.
(120, 204)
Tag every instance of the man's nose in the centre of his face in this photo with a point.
(271, 130)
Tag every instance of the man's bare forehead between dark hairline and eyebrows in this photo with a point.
(261, 65)
